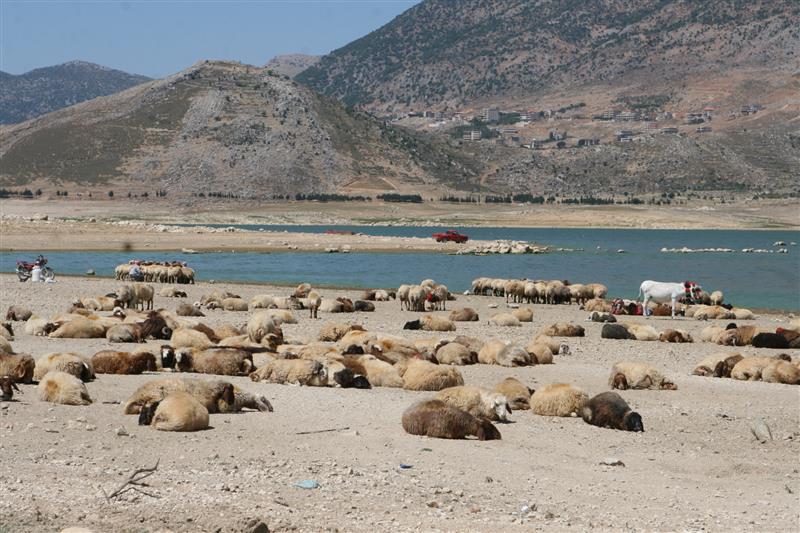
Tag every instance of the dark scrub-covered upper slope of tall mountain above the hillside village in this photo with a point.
(446, 54)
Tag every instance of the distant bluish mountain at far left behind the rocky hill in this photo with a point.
(46, 89)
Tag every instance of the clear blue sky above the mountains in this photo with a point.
(158, 38)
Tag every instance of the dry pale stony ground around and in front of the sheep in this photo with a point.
(696, 467)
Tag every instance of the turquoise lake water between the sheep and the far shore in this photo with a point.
(751, 280)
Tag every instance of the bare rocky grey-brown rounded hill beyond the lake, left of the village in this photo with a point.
(225, 127)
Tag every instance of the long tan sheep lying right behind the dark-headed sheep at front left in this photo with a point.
(216, 396)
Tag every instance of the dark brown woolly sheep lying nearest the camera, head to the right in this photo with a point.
(436, 419)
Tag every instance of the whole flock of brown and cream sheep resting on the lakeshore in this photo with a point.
(346, 355)
